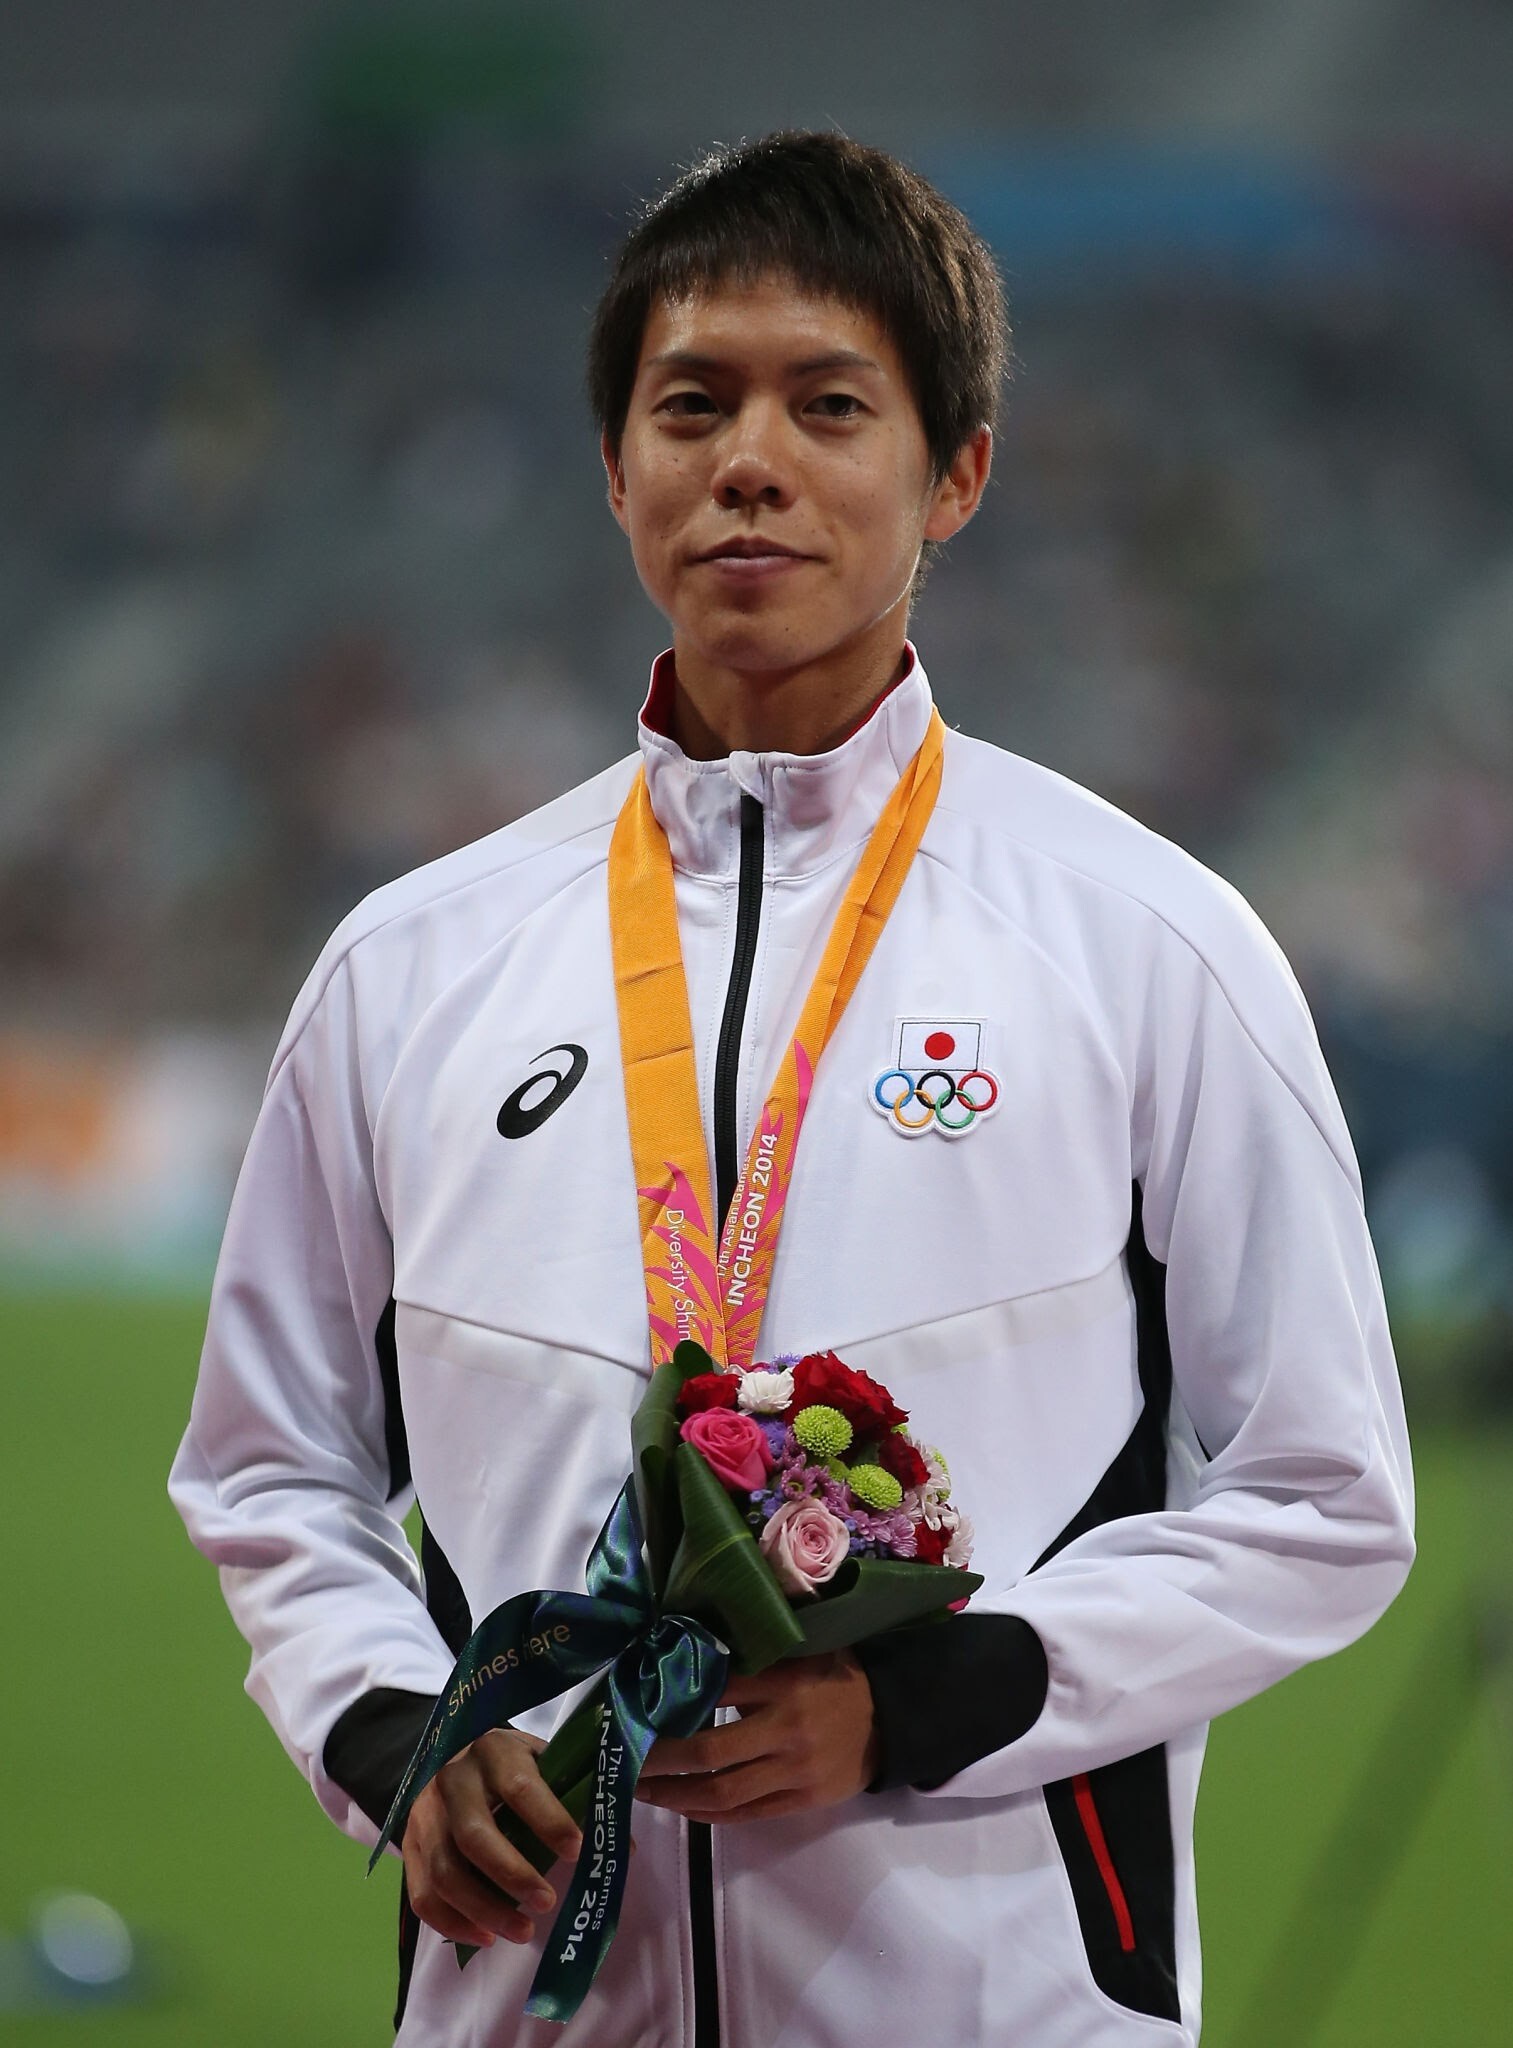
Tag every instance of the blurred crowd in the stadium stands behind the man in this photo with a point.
(306, 577)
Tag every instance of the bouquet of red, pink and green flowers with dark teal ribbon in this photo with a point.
(777, 1512)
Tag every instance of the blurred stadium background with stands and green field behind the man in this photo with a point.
(306, 579)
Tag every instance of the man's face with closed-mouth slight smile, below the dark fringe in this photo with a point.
(773, 478)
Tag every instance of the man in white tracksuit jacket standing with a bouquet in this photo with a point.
(1135, 1304)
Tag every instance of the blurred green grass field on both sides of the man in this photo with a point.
(1354, 1865)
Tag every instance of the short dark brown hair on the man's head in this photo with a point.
(847, 224)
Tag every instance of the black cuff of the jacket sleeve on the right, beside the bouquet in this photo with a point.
(951, 1693)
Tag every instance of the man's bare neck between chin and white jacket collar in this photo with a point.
(812, 710)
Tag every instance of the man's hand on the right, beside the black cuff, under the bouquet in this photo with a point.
(806, 1740)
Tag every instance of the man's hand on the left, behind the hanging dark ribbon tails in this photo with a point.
(460, 1867)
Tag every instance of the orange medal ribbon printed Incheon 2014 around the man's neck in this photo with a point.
(695, 1287)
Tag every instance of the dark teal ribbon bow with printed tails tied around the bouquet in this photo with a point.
(666, 1674)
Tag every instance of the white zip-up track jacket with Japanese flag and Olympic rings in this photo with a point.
(1135, 1306)
